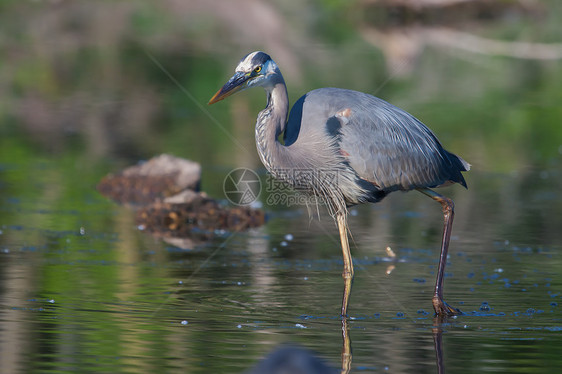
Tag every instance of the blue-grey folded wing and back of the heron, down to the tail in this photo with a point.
(382, 143)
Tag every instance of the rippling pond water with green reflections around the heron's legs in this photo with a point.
(84, 290)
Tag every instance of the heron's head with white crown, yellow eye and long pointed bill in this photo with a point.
(255, 69)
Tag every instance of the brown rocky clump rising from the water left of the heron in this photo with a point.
(164, 192)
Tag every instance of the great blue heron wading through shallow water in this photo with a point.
(349, 148)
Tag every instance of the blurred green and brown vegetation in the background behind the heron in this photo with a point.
(93, 78)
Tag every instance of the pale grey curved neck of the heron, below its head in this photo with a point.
(270, 124)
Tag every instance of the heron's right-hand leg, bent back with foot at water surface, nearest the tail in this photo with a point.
(442, 308)
